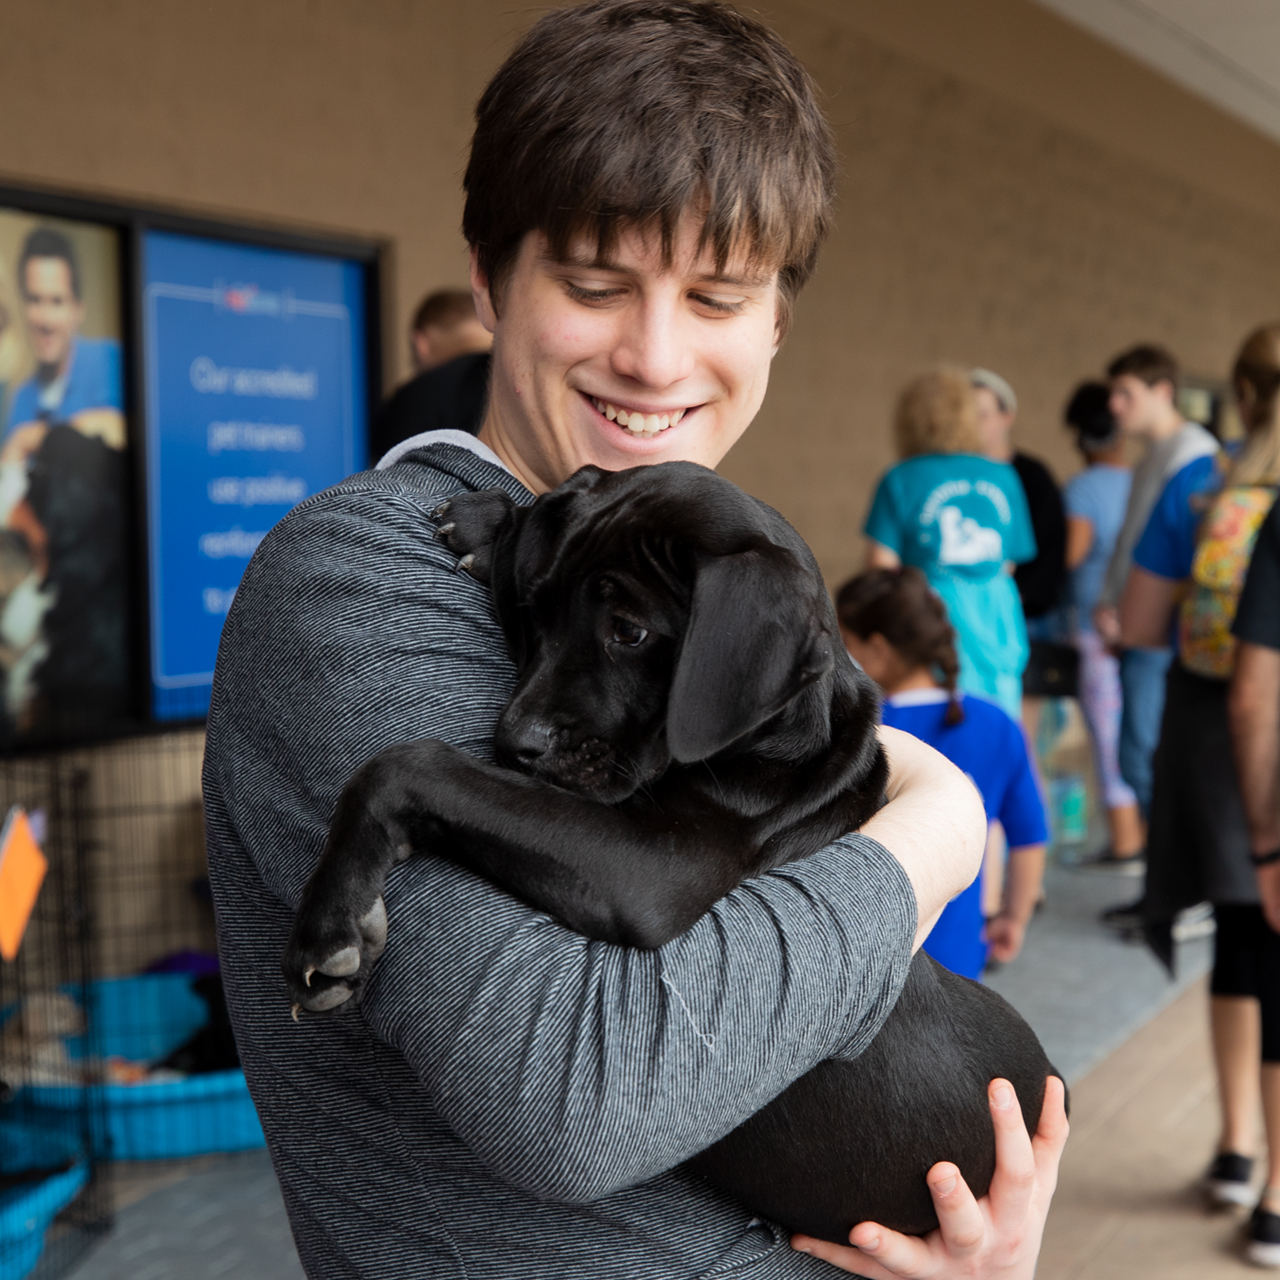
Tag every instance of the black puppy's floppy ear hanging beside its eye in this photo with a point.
(755, 642)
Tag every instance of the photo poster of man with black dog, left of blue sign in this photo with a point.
(67, 642)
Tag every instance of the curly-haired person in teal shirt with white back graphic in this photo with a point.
(963, 520)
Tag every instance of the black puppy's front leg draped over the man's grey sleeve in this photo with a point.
(593, 867)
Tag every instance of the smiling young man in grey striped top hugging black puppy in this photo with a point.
(648, 185)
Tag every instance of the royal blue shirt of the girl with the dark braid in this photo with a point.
(991, 748)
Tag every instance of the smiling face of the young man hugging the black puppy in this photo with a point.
(625, 362)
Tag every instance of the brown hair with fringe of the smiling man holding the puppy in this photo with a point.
(625, 115)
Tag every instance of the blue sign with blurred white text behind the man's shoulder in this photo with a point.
(255, 397)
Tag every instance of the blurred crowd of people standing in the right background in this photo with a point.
(1148, 588)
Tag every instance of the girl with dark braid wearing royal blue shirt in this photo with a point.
(897, 628)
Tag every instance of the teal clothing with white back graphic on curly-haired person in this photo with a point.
(961, 519)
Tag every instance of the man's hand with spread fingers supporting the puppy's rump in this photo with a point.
(996, 1238)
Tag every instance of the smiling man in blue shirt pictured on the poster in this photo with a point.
(77, 380)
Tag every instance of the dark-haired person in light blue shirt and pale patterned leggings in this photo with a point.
(1098, 500)
